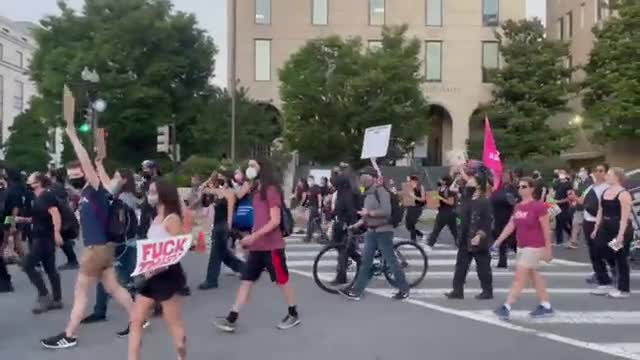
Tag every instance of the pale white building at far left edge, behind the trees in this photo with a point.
(16, 88)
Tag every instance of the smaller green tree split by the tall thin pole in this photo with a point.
(257, 125)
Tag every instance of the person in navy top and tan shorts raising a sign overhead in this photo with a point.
(97, 261)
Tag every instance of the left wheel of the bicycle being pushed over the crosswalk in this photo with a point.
(324, 269)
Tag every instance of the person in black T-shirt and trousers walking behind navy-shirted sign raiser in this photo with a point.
(46, 223)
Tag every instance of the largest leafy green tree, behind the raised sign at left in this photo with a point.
(153, 63)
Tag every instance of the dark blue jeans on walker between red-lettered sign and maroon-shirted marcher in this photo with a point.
(219, 254)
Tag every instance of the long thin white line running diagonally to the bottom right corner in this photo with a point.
(492, 320)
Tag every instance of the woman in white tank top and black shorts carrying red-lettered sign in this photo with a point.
(162, 285)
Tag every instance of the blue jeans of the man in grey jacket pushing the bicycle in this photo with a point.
(372, 242)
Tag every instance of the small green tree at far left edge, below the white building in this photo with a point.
(26, 148)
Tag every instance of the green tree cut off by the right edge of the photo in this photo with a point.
(612, 96)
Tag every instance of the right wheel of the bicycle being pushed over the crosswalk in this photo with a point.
(413, 261)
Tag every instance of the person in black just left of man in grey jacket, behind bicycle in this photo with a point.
(345, 215)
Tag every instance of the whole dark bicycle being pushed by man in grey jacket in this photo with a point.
(411, 257)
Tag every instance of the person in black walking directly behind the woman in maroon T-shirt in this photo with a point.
(503, 200)
